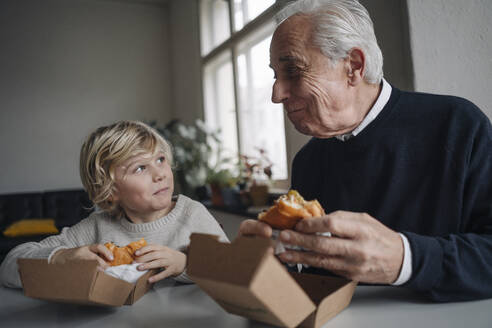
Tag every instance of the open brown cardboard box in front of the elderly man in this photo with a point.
(245, 278)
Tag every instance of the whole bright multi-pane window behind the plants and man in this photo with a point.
(237, 82)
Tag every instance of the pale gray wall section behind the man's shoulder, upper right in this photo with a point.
(451, 44)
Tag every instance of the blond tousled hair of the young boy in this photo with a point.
(108, 147)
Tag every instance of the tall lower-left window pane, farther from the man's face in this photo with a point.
(219, 102)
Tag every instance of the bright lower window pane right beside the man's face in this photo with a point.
(261, 121)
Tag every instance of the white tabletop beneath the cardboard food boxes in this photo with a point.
(172, 305)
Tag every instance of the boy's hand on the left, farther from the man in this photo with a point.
(96, 252)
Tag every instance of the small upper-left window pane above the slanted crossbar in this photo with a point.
(214, 23)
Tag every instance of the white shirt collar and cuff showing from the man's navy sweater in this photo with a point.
(406, 269)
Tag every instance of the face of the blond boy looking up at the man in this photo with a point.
(144, 187)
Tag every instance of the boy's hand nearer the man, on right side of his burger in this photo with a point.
(157, 256)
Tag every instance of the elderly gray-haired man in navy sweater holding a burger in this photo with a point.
(405, 177)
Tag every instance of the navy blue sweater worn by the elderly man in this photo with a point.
(423, 167)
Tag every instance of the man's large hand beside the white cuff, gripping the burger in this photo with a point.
(361, 248)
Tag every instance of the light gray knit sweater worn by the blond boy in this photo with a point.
(173, 230)
